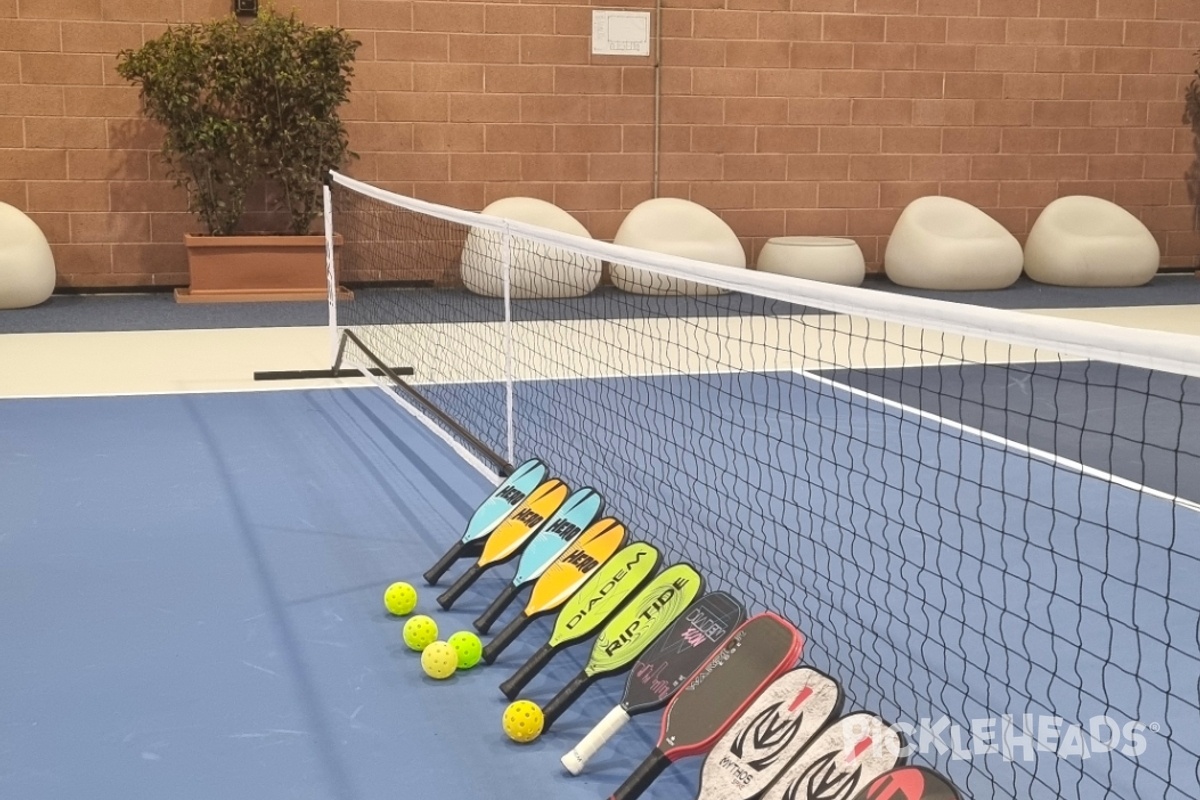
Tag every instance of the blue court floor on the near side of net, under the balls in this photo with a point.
(193, 609)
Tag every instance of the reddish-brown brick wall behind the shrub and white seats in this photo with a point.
(787, 117)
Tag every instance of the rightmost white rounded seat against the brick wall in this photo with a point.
(1087, 242)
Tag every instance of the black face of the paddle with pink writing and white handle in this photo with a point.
(673, 658)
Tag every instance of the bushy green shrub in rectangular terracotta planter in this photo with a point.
(241, 105)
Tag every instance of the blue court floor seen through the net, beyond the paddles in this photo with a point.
(939, 573)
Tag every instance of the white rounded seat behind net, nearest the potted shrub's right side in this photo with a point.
(537, 270)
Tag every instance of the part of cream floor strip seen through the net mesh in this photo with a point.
(643, 347)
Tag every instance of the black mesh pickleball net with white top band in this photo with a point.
(987, 524)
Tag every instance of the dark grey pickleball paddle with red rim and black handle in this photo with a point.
(717, 694)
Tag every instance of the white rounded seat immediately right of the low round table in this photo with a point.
(941, 243)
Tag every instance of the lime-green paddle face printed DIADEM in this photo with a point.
(608, 588)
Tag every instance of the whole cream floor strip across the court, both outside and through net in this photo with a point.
(40, 365)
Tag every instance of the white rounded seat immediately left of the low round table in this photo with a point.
(675, 227)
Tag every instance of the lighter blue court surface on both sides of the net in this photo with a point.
(193, 588)
